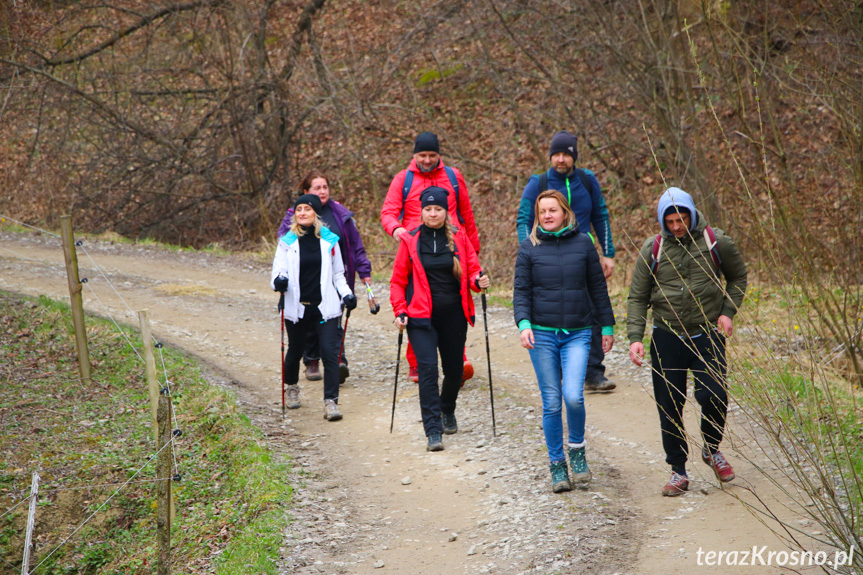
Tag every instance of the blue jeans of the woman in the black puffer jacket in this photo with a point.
(560, 362)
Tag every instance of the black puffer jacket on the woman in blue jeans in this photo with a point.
(556, 281)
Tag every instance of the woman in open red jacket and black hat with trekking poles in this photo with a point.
(429, 291)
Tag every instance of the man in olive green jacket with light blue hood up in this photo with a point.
(679, 276)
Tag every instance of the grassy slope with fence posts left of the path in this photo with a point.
(231, 503)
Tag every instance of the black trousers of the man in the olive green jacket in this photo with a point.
(671, 357)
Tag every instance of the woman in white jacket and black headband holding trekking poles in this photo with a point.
(308, 269)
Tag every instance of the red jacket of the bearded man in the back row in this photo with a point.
(393, 204)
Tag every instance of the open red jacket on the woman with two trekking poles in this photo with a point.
(409, 287)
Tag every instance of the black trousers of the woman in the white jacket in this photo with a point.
(328, 333)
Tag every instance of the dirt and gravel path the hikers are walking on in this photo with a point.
(371, 502)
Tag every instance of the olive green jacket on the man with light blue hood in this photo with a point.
(685, 293)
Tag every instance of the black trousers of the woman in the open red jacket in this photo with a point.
(447, 334)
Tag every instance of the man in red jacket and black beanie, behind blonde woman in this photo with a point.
(402, 207)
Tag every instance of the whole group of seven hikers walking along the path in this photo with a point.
(690, 275)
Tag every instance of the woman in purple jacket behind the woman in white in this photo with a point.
(340, 221)
